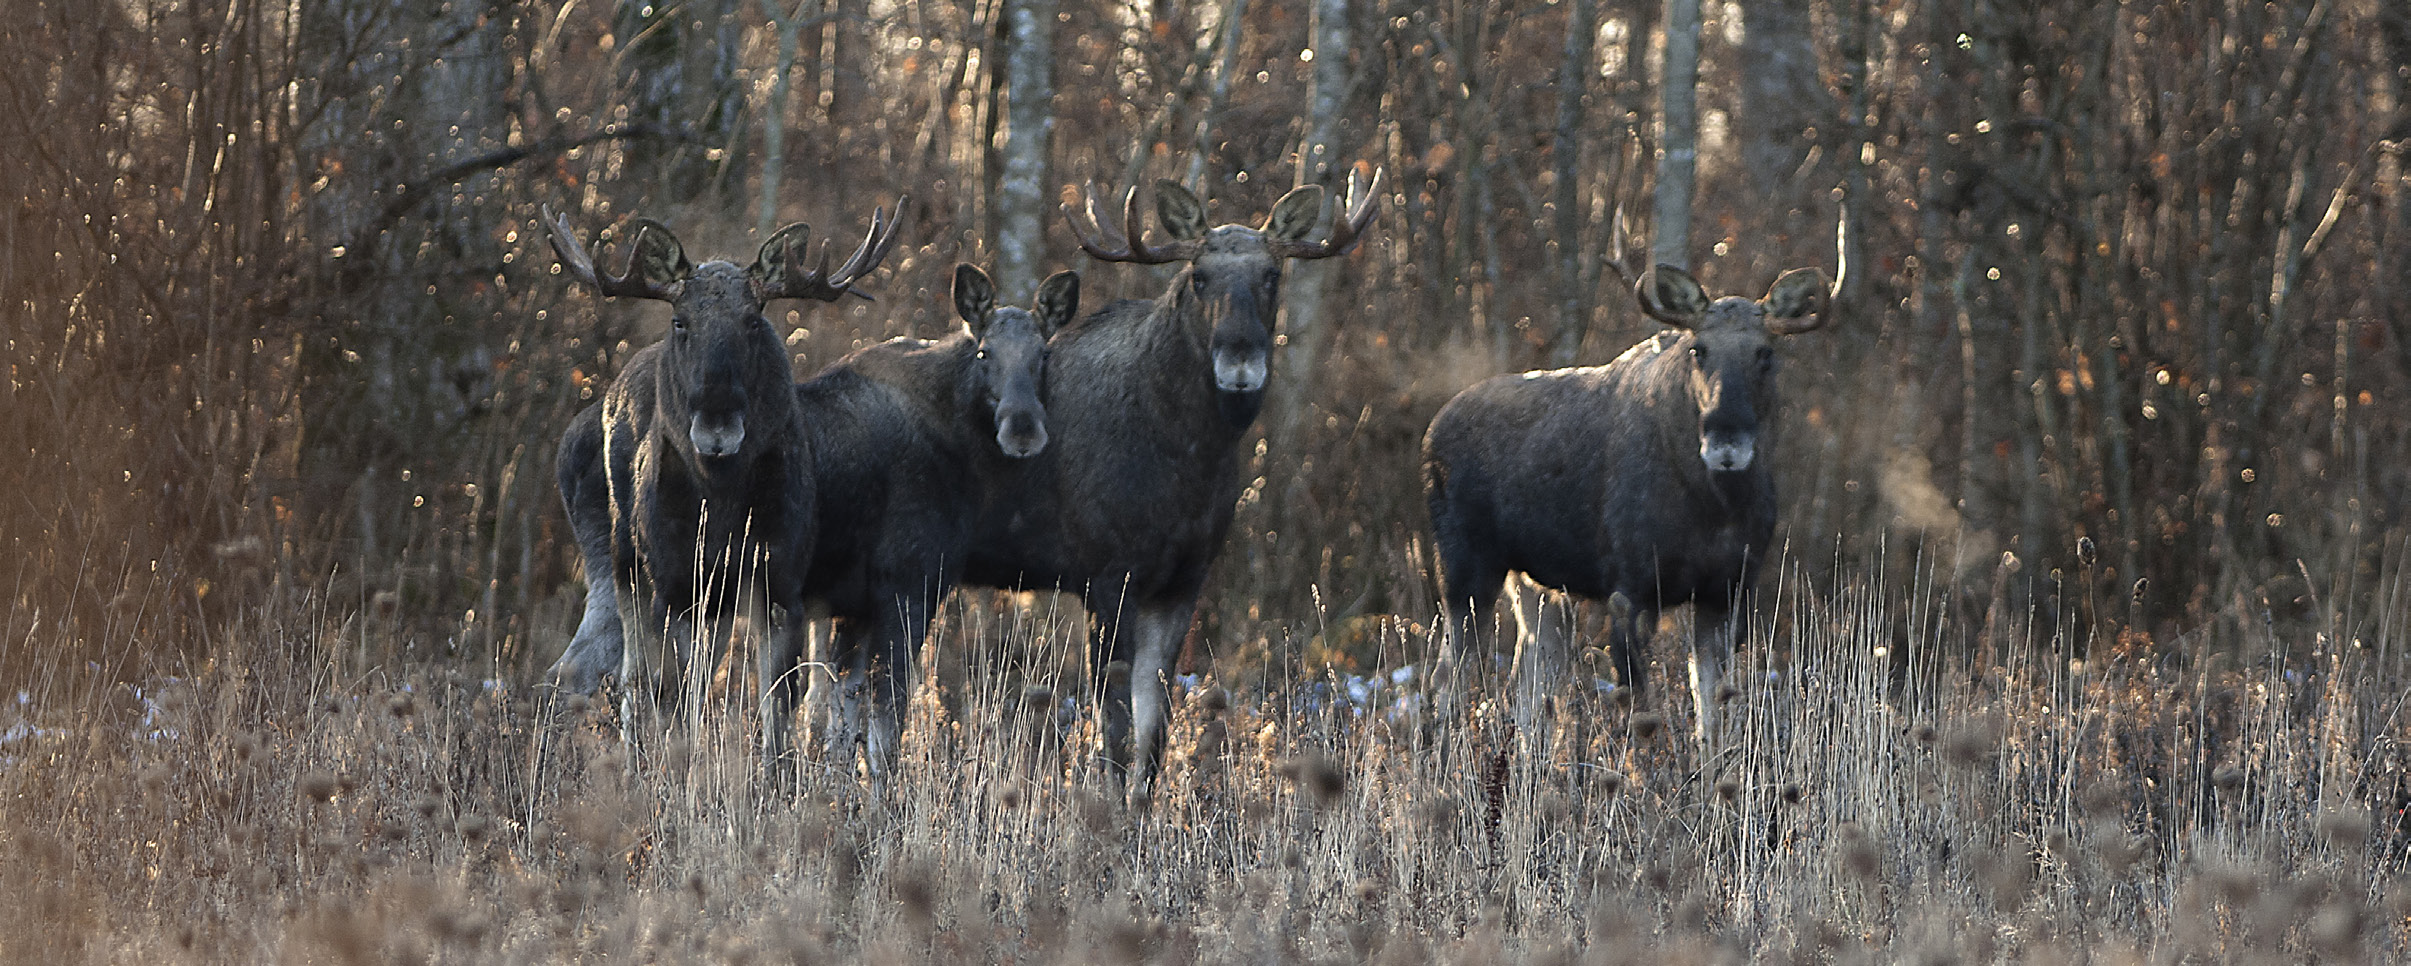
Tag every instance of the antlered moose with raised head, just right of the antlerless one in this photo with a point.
(1149, 404)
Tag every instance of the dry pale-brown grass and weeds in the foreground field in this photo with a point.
(1887, 796)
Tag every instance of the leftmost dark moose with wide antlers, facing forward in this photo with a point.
(688, 485)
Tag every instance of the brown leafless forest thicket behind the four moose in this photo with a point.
(283, 329)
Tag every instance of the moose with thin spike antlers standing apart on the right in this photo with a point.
(1641, 483)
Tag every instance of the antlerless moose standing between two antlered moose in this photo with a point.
(908, 440)
